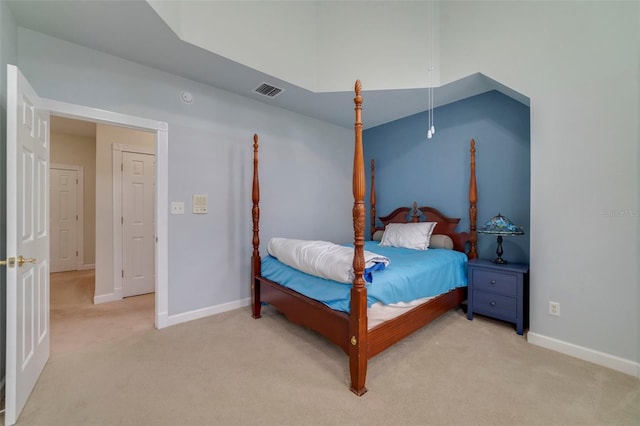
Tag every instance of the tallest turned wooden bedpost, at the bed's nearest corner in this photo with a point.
(358, 356)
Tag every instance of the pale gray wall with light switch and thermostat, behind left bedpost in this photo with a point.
(305, 164)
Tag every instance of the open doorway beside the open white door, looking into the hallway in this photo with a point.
(76, 320)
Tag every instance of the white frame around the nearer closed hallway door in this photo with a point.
(117, 150)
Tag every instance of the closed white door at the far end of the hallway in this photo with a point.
(64, 219)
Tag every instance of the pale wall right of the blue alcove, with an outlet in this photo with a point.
(579, 64)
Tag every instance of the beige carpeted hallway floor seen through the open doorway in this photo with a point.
(77, 323)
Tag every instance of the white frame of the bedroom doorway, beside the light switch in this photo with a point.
(161, 130)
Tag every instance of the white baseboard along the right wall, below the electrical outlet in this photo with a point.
(606, 360)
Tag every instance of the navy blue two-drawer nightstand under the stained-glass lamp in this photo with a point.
(499, 291)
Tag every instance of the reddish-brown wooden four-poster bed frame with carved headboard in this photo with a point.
(349, 331)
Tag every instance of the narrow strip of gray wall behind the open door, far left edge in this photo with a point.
(8, 55)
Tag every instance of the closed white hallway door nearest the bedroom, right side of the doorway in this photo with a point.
(138, 245)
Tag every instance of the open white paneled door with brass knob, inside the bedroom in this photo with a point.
(28, 240)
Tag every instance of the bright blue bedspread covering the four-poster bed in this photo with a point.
(411, 274)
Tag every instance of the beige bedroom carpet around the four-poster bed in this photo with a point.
(230, 369)
